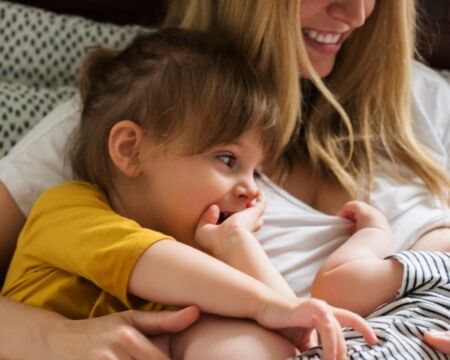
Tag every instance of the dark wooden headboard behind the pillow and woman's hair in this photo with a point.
(434, 30)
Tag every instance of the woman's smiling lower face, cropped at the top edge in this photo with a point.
(326, 24)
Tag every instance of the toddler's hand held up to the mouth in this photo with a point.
(216, 237)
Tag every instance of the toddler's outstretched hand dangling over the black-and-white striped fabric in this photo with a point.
(304, 315)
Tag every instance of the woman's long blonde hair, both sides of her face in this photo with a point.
(371, 81)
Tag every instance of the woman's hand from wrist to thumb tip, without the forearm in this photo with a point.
(117, 336)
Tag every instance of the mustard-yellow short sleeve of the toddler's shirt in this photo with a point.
(73, 228)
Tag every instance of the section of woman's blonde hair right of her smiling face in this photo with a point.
(372, 81)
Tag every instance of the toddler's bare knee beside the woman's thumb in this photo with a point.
(214, 337)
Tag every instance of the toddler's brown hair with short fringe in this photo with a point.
(176, 84)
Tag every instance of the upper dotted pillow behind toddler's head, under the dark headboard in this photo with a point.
(42, 48)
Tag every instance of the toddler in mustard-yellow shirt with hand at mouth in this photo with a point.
(174, 130)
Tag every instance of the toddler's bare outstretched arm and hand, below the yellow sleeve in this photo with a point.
(173, 273)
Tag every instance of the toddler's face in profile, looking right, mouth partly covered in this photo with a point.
(176, 190)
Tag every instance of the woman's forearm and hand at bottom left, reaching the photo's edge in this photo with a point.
(42, 335)
